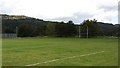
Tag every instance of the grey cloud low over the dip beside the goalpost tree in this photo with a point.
(77, 17)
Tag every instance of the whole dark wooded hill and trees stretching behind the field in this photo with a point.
(30, 27)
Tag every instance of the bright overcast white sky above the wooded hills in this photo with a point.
(63, 10)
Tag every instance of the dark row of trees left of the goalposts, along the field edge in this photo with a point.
(51, 29)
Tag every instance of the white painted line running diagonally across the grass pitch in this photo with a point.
(64, 58)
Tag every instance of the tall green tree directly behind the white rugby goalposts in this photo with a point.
(91, 26)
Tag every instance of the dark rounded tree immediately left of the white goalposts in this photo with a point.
(66, 29)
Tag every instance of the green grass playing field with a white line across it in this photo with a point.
(60, 52)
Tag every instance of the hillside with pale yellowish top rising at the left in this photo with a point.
(12, 21)
